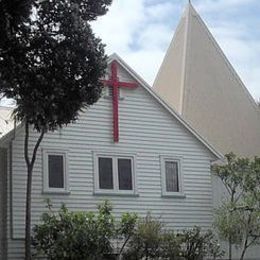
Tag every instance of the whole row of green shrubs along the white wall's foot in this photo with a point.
(88, 236)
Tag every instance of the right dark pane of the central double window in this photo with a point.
(125, 174)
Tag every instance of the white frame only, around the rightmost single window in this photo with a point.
(165, 193)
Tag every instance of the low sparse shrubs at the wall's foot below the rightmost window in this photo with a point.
(152, 241)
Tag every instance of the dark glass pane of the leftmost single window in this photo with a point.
(56, 171)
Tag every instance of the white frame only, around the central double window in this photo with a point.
(115, 190)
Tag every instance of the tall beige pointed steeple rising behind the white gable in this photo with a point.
(198, 81)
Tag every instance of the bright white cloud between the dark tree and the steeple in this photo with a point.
(138, 33)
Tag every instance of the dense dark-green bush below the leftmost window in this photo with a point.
(75, 235)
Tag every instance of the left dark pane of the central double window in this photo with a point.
(105, 170)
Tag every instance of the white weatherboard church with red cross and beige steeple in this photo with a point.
(144, 149)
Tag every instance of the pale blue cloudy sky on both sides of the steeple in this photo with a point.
(141, 30)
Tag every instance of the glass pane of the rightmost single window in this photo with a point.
(171, 172)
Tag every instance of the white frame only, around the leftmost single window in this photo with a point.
(46, 188)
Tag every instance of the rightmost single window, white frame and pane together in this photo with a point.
(171, 176)
